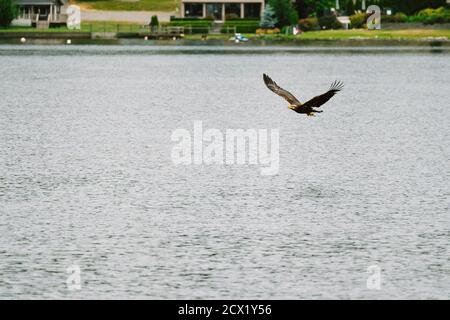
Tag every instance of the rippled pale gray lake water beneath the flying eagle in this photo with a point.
(87, 180)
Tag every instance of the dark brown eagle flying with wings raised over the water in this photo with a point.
(307, 107)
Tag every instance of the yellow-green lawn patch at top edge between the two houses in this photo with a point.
(129, 5)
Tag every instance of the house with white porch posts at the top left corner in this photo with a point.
(41, 13)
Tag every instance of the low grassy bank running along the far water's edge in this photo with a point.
(118, 31)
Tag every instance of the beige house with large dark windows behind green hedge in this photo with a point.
(220, 10)
